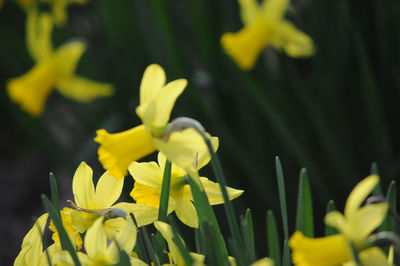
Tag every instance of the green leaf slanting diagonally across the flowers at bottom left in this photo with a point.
(64, 239)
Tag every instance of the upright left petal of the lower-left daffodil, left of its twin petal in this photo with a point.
(83, 188)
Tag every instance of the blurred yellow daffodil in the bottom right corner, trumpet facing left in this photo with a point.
(354, 226)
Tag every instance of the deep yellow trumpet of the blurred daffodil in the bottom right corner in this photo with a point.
(324, 251)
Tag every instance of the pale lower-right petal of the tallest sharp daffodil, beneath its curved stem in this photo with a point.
(182, 149)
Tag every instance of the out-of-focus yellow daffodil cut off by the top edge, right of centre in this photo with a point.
(264, 25)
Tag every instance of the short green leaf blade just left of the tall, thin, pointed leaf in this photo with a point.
(274, 251)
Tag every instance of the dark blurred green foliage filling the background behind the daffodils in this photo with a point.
(334, 113)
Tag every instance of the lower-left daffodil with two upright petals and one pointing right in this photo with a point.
(90, 203)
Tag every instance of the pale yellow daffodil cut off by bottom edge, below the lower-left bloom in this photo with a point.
(99, 252)
